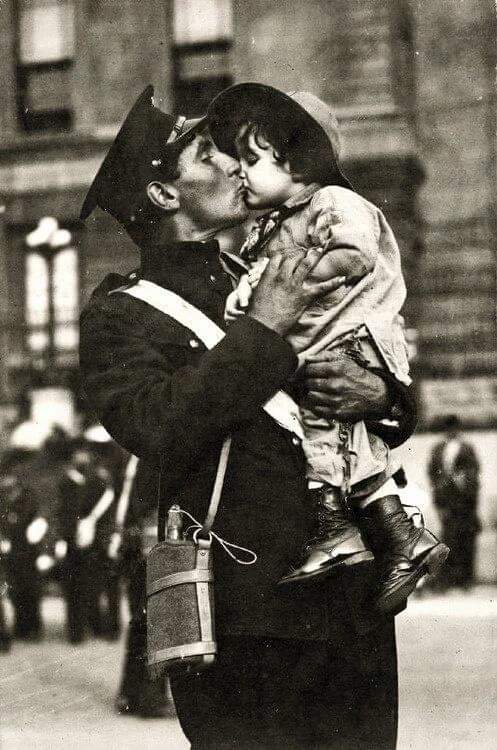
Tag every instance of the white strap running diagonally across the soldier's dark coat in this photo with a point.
(280, 407)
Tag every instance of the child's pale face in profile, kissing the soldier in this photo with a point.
(267, 181)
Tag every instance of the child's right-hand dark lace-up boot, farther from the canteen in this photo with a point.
(408, 552)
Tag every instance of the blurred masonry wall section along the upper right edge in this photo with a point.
(455, 110)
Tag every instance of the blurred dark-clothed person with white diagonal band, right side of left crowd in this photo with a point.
(85, 497)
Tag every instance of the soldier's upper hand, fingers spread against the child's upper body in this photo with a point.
(285, 290)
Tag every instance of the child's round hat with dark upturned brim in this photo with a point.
(298, 111)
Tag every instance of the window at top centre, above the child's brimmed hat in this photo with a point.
(203, 30)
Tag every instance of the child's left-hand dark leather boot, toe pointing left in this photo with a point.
(338, 542)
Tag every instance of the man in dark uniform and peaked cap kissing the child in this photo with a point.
(169, 400)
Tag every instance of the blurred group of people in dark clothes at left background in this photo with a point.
(65, 522)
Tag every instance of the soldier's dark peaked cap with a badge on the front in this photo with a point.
(147, 145)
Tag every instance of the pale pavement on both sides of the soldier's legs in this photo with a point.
(54, 695)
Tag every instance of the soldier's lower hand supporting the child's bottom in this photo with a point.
(339, 388)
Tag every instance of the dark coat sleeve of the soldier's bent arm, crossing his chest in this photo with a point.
(154, 402)
